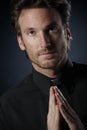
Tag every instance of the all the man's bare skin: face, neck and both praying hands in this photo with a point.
(46, 40)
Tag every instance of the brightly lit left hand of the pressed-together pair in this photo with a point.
(53, 118)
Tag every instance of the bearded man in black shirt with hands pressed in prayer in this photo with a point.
(54, 96)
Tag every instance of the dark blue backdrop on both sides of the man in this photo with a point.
(14, 66)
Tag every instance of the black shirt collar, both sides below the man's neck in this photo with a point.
(43, 82)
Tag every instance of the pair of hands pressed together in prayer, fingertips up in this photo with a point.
(59, 107)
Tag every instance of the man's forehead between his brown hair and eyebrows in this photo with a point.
(38, 17)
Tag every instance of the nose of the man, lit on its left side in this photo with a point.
(44, 39)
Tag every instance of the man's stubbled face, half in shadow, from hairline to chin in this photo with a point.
(44, 37)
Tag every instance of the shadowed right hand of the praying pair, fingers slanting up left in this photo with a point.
(67, 112)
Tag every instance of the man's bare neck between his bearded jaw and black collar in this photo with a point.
(52, 72)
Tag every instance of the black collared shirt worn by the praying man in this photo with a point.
(25, 107)
